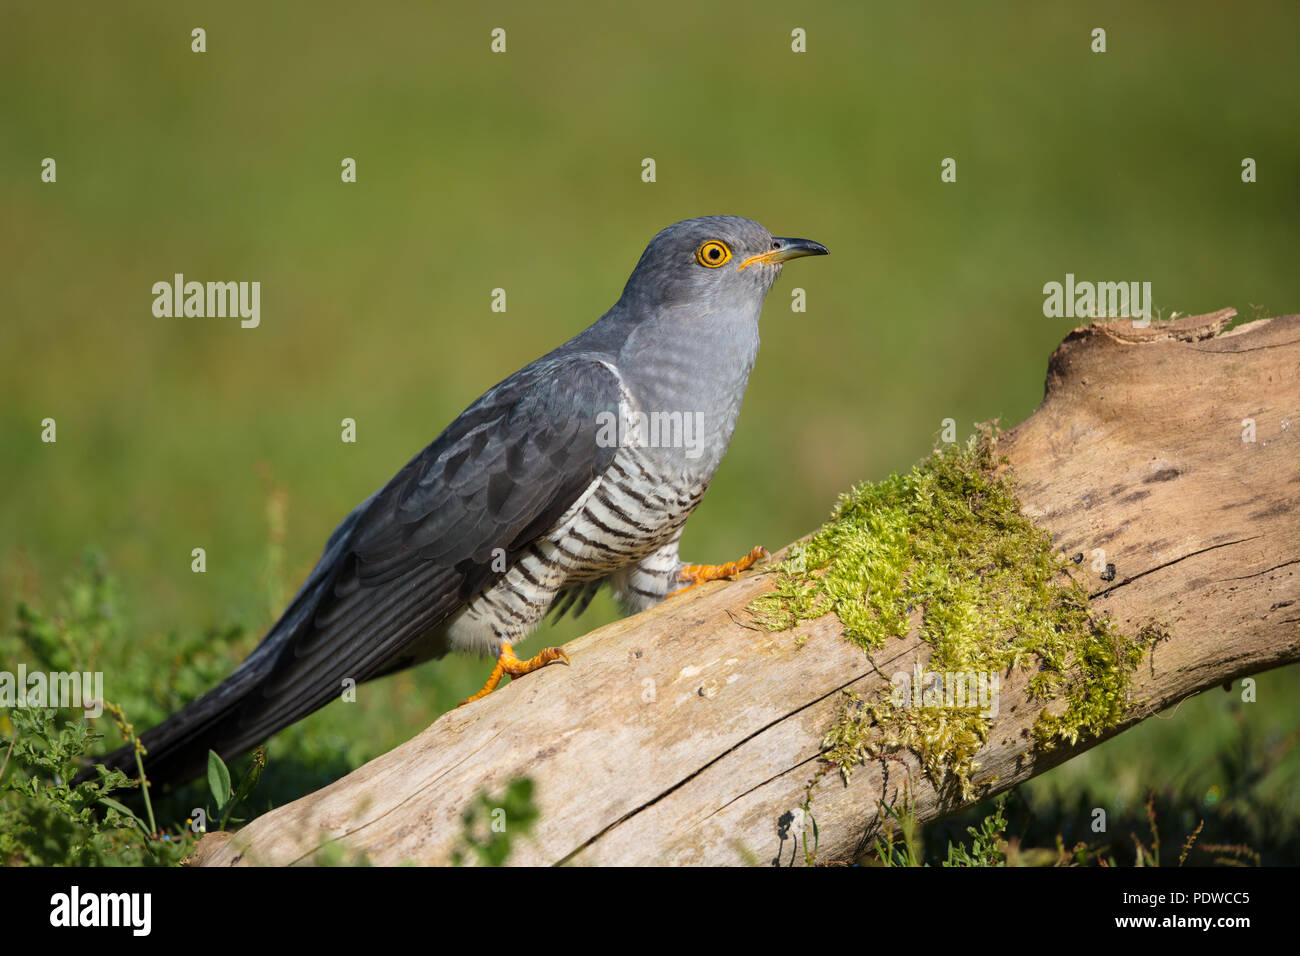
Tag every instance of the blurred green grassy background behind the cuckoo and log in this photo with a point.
(523, 171)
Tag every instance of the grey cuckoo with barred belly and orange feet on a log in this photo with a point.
(578, 471)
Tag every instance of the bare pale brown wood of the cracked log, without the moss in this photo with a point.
(687, 736)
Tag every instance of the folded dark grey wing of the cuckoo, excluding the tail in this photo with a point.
(501, 475)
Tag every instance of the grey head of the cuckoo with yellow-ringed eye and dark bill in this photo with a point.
(713, 263)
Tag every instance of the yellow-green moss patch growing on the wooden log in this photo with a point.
(946, 551)
